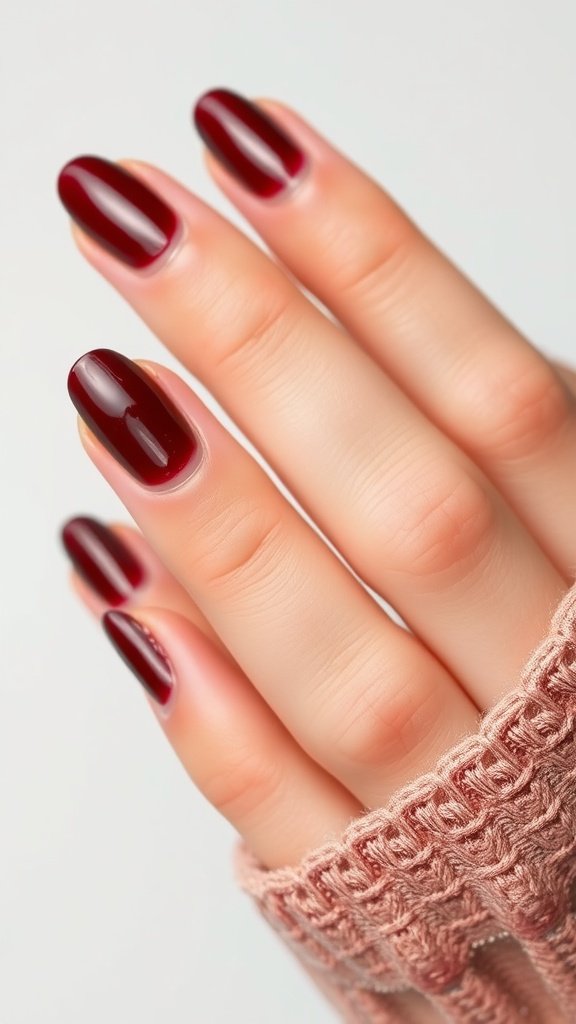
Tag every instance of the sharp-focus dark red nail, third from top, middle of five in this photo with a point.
(132, 416)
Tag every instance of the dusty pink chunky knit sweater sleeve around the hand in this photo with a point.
(455, 903)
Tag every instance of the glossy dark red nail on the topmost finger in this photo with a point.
(248, 142)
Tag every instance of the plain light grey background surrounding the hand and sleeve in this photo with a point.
(117, 902)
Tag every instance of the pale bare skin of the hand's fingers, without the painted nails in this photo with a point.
(431, 443)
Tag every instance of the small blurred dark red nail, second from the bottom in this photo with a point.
(102, 560)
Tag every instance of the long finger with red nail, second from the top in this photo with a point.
(414, 516)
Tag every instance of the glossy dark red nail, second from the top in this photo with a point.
(117, 209)
